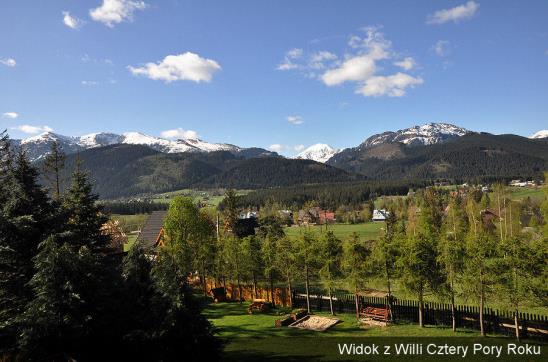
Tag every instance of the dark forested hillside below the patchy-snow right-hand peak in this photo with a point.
(477, 156)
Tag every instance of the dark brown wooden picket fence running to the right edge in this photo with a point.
(495, 321)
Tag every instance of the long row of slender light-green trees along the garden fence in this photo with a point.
(451, 245)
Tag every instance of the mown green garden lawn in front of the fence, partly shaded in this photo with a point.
(255, 338)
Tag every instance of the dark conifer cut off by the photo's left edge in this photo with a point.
(25, 220)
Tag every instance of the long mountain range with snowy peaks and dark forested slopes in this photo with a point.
(136, 164)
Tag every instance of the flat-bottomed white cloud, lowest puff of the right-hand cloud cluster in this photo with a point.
(391, 86)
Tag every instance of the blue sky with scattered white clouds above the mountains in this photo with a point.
(262, 73)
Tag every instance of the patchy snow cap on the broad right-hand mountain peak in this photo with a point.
(427, 134)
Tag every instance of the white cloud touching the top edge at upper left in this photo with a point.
(113, 12)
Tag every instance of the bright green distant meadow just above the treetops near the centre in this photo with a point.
(368, 230)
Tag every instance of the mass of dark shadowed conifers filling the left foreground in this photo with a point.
(64, 293)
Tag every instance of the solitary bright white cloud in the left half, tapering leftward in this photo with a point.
(187, 66)
